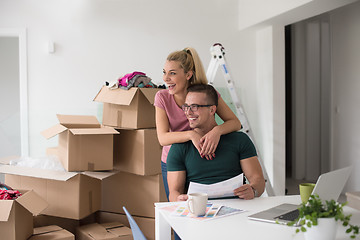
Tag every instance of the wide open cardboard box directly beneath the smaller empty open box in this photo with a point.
(69, 194)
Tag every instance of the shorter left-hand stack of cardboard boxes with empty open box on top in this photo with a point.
(73, 196)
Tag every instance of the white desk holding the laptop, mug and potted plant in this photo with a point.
(237, 226)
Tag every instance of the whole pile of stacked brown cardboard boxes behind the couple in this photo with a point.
(107, 166)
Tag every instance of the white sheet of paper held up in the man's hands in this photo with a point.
(218, 190)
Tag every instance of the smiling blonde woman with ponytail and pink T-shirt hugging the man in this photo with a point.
(182, 69)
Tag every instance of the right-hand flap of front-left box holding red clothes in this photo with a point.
(32, 202)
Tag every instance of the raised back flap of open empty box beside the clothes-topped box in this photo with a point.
(78, 121)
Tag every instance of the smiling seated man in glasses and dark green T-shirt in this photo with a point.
(235, 153)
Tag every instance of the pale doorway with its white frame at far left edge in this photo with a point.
(13, 94)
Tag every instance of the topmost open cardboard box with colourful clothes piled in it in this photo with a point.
(131, 108)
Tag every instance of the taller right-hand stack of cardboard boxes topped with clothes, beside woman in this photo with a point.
(137, 154)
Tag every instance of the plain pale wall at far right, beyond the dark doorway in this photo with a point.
(345, 39)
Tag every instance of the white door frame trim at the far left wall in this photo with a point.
(23, 87)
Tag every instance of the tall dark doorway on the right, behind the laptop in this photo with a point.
(308, 98)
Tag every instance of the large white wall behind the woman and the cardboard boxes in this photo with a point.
(98, 41)
